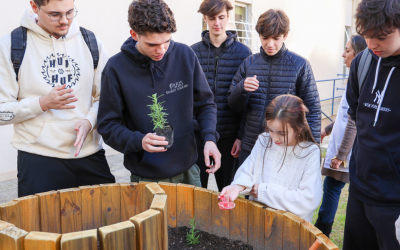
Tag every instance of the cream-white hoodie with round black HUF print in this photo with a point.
(45, 66)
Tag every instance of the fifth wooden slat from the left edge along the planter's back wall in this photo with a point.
(91, 207)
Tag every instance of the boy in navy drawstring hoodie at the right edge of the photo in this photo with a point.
(373, 98)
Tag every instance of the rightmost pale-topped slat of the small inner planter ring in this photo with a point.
(160, 204)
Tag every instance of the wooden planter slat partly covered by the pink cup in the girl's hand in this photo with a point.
(220, 217)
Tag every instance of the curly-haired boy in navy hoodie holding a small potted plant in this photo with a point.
(151, 62)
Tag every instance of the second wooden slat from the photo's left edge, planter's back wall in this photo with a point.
(28, 211)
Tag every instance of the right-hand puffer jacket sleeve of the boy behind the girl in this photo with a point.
(308, 92)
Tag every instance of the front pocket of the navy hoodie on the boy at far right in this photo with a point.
(377, 174)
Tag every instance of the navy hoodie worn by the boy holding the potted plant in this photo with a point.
(128, 79)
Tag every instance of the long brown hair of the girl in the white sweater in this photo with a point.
(290, 110)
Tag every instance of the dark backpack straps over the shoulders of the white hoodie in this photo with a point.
(18, 46)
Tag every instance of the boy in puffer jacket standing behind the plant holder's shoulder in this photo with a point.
(220, 55)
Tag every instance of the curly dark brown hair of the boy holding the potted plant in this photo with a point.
(151, 16)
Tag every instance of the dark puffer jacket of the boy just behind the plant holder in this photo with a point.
(219, 71)
